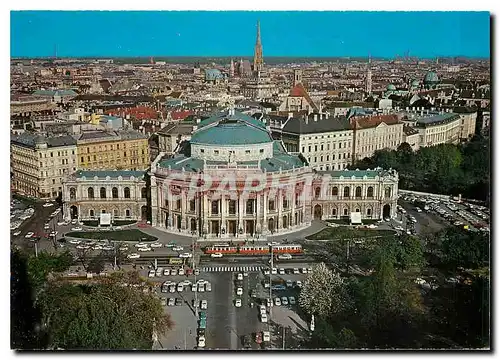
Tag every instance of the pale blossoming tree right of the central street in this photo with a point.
(323, 292)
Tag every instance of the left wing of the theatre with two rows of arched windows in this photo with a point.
(122, 194)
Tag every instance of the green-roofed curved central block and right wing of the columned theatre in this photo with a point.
(233, 180)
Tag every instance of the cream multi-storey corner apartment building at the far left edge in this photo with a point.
(39, 163)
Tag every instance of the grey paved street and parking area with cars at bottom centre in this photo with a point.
(230, 325)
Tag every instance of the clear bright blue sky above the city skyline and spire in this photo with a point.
(226, 33)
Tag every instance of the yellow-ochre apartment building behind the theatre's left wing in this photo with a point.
(112, 150)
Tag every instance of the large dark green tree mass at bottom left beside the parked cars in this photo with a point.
(105, 314)
